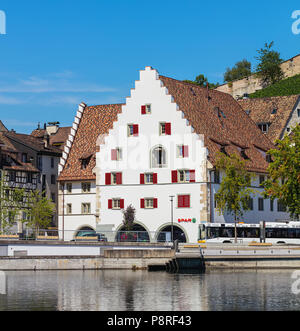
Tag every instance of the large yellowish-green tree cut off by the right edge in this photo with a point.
(284, 173)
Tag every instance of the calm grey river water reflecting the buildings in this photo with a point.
(143, 291)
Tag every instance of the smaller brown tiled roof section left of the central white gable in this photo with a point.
(95, 120)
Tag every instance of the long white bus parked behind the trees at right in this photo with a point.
(275, 233)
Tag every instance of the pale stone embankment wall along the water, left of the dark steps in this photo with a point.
(111, 259)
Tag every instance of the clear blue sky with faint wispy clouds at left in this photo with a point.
(58, 53)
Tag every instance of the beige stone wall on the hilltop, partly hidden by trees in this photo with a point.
(251, 84)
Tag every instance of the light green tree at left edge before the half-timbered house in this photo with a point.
(11, 204)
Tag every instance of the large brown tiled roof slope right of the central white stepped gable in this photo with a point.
(222, 121)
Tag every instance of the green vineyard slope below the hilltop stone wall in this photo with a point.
(289, 86)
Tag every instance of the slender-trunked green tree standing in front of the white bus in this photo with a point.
(235, 192)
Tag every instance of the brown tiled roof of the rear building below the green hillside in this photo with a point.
(261, 111)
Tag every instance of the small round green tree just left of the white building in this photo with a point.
(40, 211)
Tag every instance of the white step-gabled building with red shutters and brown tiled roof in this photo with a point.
(163, 142)
